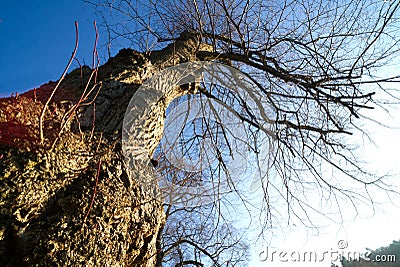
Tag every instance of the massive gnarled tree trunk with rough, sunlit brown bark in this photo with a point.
(69, 201)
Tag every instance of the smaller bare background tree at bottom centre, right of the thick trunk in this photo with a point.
(200, 239)
